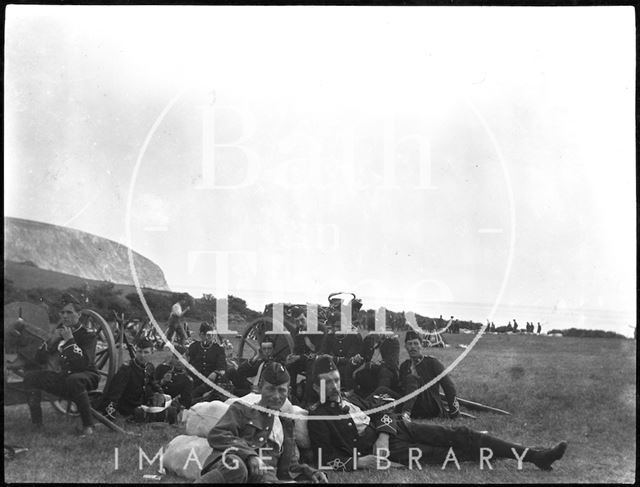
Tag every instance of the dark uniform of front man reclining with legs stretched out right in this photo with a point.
(334, 440)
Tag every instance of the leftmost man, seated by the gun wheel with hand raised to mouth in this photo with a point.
(75, 347)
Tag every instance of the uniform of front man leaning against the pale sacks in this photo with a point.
(248, 430)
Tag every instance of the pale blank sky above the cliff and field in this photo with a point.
(468, 161)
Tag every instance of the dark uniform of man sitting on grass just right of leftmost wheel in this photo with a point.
(132, 386)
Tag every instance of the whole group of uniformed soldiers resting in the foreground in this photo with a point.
(345, 376)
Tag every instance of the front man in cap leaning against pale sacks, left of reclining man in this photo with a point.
(250, 445)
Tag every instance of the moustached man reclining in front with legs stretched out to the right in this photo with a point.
(385, 436)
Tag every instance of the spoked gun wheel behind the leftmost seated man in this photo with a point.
(106, 361)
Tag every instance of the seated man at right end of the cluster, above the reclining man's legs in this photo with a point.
(419, 370)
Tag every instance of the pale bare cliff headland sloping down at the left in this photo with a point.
(74, 253)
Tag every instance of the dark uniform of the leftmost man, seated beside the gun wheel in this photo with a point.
(77, 376)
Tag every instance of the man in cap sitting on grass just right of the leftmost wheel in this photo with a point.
(134, 392)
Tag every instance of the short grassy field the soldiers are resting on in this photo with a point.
(581, 390)
